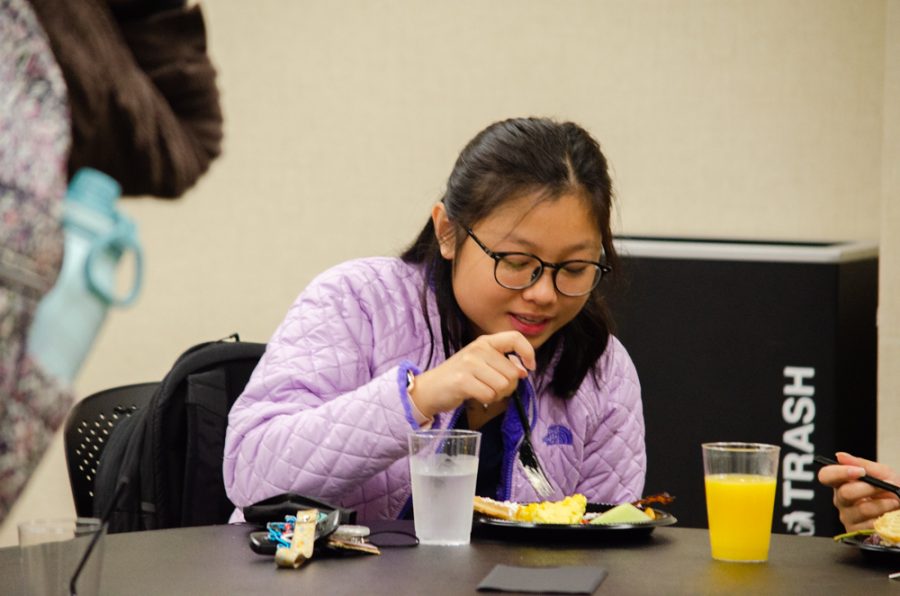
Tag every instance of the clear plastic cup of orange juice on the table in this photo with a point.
(740, 498)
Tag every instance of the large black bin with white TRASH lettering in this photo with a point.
(751, 341)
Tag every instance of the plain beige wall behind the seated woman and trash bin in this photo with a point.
(730, 118)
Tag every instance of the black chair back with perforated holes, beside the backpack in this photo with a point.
(87, 429)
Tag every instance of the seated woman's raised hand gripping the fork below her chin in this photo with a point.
(486, 370)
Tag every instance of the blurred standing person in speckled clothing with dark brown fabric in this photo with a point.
(122, 86)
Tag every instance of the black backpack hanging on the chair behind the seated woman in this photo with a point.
(162, 466)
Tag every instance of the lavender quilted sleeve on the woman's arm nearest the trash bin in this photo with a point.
(615, 458)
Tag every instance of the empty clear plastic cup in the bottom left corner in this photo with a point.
(51, 550)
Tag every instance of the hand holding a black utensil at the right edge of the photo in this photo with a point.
(859, 503)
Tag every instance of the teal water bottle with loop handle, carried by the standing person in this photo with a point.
(97, 236)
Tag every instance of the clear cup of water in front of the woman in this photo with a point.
(443, 465)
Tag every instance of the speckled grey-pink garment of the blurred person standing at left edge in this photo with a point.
(34, 144)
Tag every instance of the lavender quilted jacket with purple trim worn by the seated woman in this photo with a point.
(326, 412)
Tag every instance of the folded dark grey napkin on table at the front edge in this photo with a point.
(554, 580)
